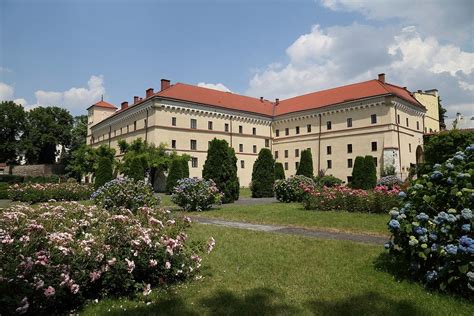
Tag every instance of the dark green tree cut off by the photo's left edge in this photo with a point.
(12, 126)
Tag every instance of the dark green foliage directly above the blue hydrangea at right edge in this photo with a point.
(439, 147)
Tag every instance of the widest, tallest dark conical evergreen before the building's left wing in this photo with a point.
(221, 167)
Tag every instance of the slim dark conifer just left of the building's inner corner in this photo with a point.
(263, 175)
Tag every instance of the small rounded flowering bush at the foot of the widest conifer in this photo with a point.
(196, 194)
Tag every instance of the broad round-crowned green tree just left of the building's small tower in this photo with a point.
(46, 128)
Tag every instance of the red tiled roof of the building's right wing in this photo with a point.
(342, 94)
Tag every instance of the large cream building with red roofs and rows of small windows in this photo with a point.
(368, 118)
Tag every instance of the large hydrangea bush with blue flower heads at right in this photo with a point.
(432, 233)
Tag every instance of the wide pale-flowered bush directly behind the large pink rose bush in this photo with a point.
(125, 193)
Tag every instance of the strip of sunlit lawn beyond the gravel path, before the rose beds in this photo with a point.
(293, 214)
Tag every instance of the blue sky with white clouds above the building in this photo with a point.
(69, 53)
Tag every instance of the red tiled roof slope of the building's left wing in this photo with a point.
(228, 100)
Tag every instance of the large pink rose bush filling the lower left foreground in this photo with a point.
(54, 257)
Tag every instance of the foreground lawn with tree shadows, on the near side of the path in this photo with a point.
(269, 274)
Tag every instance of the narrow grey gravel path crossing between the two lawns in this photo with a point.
(367, 239)
